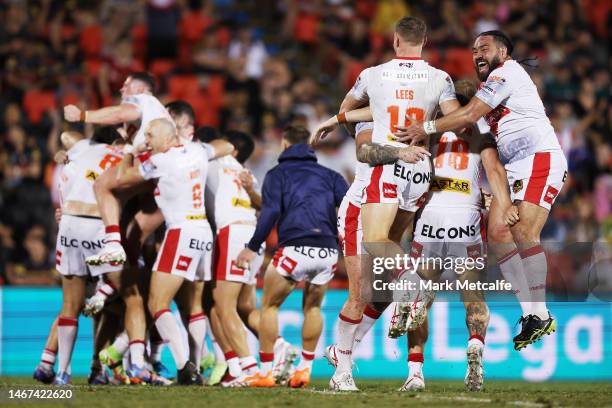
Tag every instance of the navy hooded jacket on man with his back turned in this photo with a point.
(302, 196)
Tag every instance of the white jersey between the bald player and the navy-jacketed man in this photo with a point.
(226, 200)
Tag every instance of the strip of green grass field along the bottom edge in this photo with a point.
(374, 394)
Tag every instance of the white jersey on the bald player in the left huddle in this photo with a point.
(181, 172)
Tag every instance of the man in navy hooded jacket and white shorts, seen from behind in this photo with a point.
(299, 196)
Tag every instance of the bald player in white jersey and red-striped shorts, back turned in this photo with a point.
(179, 172)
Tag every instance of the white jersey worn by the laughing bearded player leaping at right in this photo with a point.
(518, 119)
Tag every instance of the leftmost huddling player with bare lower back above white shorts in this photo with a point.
(81, 233)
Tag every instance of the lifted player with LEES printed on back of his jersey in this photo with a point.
(402, 90)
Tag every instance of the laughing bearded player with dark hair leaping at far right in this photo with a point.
(536, 167)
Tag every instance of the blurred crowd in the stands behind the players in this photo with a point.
(257, 65)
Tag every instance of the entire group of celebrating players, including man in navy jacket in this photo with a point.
(421, 142)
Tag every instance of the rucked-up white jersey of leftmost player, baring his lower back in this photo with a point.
(83, 169)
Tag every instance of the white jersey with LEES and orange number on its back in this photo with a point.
(404, 90)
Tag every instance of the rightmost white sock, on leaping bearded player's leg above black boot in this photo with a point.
(536, 268)
